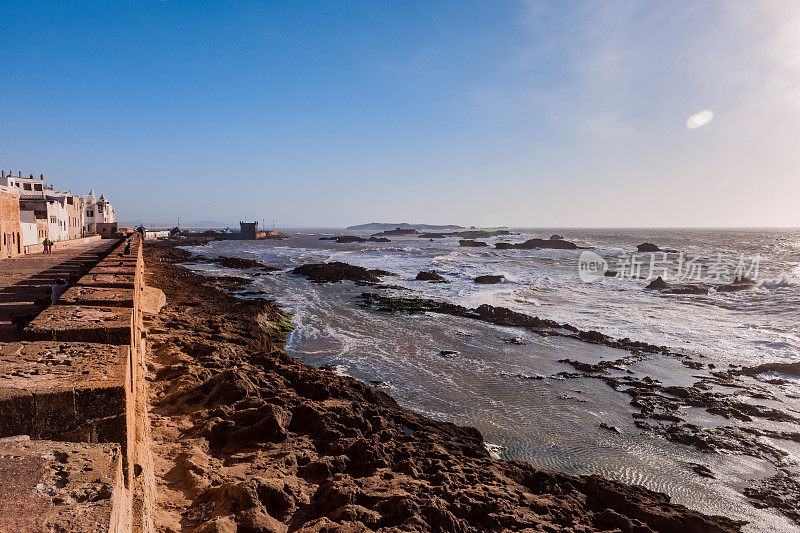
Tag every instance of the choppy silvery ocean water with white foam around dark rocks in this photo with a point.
(513, 392)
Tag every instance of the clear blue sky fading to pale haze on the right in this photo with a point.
(331, 113)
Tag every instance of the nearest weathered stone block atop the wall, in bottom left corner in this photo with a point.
(60, 487)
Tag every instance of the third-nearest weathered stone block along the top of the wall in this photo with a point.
(112, 325)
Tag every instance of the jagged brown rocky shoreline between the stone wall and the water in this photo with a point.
(247, 438)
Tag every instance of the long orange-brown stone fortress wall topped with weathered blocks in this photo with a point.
(74, 417)
